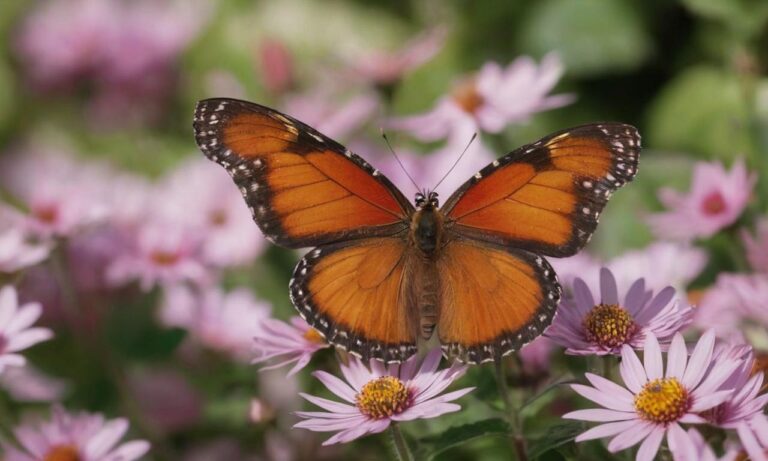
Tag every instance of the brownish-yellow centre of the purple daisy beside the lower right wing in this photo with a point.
(609, 325)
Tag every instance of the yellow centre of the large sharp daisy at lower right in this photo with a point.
(662, 401)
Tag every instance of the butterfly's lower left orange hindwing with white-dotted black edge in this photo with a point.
(354, 294)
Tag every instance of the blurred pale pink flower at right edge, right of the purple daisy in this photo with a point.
(733, 303)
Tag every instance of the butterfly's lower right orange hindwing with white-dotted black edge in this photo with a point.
(494, 299)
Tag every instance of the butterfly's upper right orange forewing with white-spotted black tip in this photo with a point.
(546, 197)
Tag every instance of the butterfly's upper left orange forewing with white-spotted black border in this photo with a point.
(303, 188)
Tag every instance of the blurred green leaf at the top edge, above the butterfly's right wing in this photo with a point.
(592, 37)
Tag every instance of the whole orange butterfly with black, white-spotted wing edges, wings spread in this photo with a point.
(385, 272)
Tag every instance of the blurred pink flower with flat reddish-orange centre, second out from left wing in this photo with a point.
(162, 253)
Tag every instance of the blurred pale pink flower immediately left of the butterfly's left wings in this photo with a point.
(199, 194)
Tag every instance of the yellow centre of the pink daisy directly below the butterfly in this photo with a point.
(383, 397)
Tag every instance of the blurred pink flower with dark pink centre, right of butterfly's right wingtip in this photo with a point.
(716, 200)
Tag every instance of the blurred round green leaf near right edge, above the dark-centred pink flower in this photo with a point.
(702, 111)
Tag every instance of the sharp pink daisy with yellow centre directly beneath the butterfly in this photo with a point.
(375, 398)
